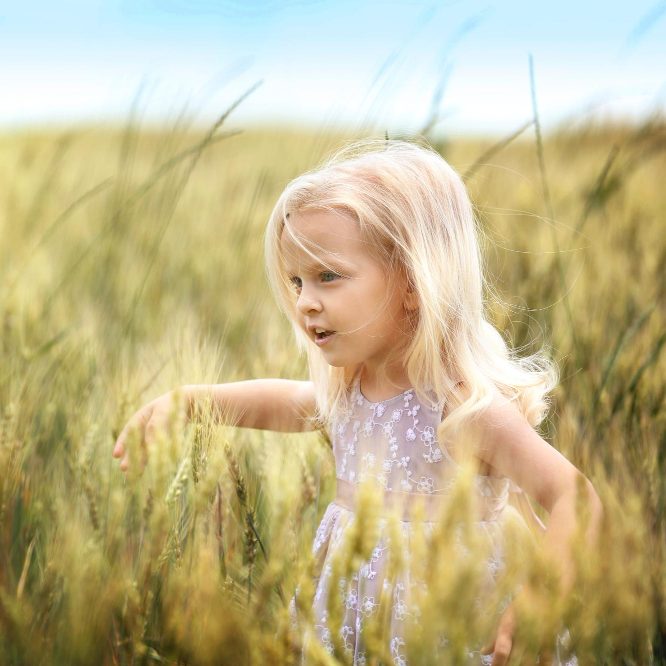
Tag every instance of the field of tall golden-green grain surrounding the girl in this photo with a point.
(131, 263)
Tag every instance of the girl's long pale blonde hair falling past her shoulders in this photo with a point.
(414, 207)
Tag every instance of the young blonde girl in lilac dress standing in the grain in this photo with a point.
(374, 257)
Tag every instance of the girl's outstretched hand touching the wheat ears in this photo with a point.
(146, 424)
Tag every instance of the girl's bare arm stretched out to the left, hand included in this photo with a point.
(268, 404)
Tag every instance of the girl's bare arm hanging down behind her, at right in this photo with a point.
(512, 448)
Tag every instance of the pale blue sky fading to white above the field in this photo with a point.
(371, 65)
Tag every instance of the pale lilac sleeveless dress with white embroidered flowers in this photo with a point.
(393, 443)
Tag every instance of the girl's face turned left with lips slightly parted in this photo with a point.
(348, 305)
